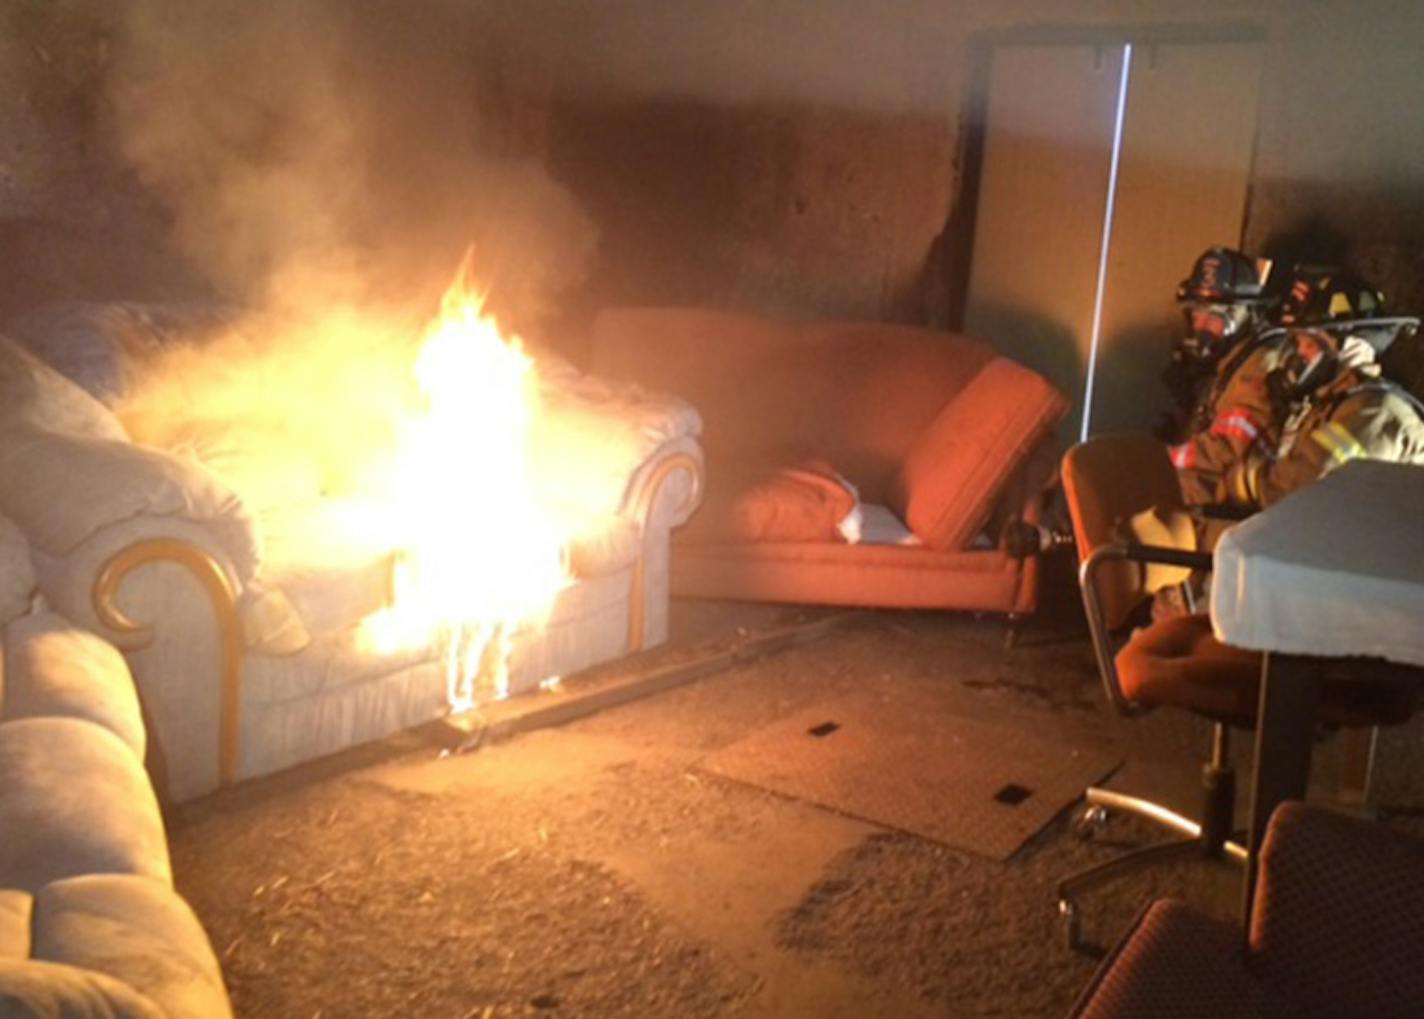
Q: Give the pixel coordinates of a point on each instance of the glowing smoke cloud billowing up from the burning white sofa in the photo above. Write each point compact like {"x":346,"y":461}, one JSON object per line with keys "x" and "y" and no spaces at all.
{"x":327,"y":164}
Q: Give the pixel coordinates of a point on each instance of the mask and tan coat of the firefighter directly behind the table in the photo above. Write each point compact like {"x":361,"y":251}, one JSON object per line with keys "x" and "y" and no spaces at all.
{"x":1346,"y":412}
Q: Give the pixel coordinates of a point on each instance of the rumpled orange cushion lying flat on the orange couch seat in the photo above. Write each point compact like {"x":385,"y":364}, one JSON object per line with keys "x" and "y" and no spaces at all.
{"x":753,"y":503}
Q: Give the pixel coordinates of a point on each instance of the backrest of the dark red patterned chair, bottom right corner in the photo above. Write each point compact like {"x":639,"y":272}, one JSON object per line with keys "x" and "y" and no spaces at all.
{"x":1339,"y":914}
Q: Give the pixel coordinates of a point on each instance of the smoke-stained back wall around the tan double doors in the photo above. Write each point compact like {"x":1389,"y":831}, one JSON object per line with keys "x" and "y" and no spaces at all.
{"x":791,"y":156}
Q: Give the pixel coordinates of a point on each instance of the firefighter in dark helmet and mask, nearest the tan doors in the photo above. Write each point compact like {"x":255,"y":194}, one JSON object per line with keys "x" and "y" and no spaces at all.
{"x":1223,"y":301}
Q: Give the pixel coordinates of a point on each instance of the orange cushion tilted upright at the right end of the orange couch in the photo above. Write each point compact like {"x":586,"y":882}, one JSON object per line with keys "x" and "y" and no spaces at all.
{"x":952,"y":475}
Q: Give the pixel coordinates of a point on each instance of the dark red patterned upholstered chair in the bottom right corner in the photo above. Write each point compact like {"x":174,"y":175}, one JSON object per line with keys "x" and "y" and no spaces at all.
{"x":1338,"y":930}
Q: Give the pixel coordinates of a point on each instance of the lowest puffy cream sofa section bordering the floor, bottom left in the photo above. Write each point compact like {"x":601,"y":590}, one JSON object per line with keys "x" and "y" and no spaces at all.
{"x":137,"y":931}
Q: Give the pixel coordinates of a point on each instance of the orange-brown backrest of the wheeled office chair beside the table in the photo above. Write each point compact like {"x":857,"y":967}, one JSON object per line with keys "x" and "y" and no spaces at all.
{"x":1109,"y":480}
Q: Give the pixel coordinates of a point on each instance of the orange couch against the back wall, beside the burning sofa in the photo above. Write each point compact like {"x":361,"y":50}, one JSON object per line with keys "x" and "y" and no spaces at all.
{"x":933,"y":426}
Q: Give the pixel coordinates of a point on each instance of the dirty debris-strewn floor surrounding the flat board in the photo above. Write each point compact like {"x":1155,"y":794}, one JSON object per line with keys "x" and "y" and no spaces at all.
{"x":595,"y":870}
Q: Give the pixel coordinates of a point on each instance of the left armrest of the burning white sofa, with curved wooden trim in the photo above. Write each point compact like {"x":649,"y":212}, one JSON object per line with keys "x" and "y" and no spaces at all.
{"x":99,"y":510}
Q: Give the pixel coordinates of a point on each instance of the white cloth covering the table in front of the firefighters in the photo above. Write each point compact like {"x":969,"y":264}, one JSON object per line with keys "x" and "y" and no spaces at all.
{"x":1334,"y":570}
